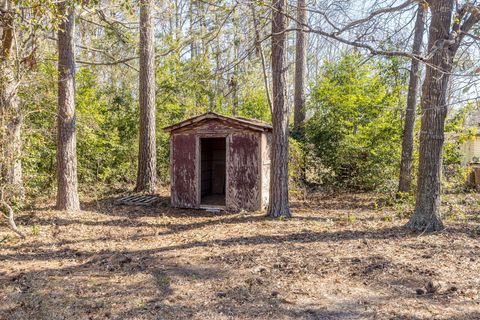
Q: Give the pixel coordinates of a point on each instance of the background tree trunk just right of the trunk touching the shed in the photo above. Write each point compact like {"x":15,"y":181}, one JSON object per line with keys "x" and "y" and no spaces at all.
{"x":300,"y":68}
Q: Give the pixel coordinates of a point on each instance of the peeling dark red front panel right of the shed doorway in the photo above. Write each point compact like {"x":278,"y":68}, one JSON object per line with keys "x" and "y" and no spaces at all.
{"x":243,"y":174}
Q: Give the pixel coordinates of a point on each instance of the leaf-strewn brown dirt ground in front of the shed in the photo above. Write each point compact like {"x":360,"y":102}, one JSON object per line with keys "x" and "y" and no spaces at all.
{"x":341,"y":257}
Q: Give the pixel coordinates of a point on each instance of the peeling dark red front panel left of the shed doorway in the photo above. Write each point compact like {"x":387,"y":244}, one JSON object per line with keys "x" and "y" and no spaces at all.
{"x":184,"y":180}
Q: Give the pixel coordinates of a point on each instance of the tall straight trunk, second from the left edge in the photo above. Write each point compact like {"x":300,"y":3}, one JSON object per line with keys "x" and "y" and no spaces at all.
{"x":67,"y":194}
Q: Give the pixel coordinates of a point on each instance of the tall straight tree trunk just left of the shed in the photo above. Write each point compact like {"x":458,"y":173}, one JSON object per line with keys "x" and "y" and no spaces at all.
{"x":147,"y":157}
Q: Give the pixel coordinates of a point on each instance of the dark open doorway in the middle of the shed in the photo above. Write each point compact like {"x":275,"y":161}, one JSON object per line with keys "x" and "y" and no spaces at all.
{"x":213,"y":171}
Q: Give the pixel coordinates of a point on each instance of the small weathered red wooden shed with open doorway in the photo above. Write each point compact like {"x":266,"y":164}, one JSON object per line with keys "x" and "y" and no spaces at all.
{"x":220,"y":162}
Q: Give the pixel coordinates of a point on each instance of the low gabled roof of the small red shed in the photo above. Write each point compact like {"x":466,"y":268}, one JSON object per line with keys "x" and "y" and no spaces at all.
{"x":255,"y":125}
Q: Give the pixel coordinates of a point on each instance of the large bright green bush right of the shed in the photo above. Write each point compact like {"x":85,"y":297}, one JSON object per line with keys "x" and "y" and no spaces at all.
{"x":355,"y":130}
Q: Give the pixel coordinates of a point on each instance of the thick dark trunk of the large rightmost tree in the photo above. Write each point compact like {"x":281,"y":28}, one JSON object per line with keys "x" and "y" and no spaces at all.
{"x":426,"y":216}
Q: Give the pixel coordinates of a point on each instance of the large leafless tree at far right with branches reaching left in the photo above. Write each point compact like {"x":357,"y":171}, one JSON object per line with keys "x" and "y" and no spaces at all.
{"x":446,"y":32}
